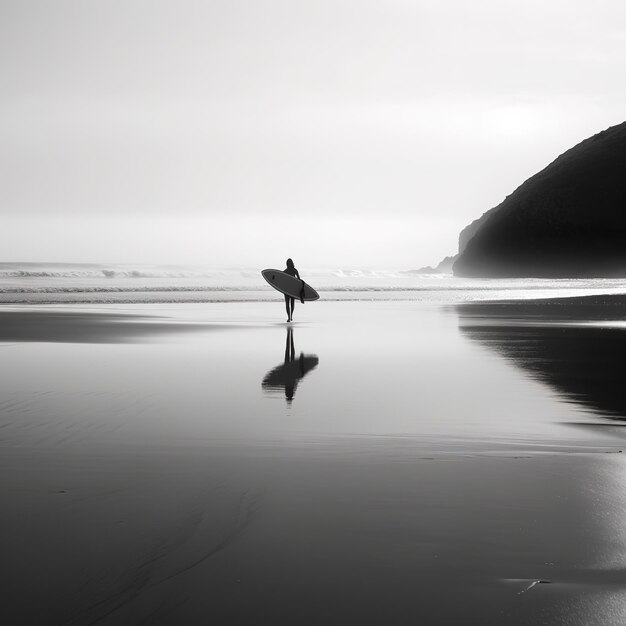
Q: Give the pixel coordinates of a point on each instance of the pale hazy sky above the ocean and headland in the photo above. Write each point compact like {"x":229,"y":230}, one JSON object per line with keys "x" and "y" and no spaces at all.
{"x":343,"y":132}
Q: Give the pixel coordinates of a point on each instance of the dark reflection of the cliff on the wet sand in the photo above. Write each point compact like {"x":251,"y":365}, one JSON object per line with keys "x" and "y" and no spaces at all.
{"x":570,"y":344}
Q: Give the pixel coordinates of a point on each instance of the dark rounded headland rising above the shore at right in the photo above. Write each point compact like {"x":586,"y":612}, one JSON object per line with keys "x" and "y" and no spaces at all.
{"x":568,"y":220}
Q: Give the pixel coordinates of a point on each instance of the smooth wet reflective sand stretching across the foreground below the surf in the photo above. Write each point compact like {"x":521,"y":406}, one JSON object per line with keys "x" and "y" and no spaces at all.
{"x":434,"y":465}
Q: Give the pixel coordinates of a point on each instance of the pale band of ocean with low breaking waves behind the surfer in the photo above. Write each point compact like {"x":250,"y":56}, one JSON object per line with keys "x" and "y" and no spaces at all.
{"x":66,"y":283}
